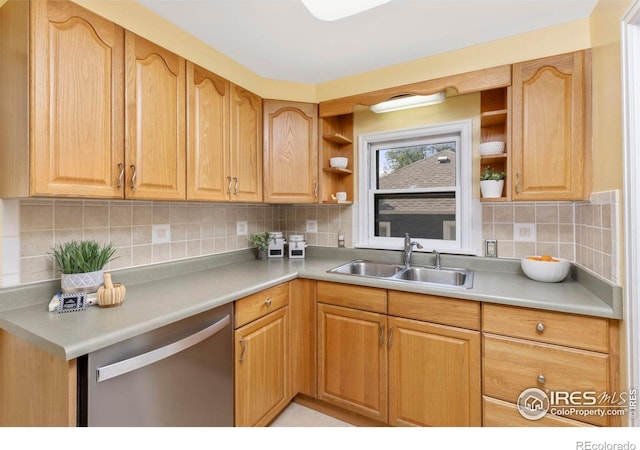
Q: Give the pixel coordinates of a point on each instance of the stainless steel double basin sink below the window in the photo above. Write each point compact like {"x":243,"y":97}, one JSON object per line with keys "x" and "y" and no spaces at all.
{"x":425,"y":275}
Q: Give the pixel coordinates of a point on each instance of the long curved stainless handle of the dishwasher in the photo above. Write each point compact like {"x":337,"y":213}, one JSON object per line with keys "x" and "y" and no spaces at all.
{"x":125,"y":366}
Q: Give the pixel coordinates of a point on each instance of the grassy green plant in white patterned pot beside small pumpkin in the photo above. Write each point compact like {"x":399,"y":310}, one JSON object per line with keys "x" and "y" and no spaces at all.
{"x":81,"y":264}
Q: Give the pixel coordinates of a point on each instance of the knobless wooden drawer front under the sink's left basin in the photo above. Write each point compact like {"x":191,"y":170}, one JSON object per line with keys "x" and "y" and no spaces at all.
{"x":350,"y":296}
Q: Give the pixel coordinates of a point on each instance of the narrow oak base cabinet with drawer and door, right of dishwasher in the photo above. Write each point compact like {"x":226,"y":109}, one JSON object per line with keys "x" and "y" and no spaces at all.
{"x":262,"y":368}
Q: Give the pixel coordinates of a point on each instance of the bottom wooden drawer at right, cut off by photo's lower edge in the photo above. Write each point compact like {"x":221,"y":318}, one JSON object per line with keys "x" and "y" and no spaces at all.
{"x":497,"y":413}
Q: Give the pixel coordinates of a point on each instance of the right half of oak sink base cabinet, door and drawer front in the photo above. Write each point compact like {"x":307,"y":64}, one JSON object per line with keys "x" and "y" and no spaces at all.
{"x":434,"y":361}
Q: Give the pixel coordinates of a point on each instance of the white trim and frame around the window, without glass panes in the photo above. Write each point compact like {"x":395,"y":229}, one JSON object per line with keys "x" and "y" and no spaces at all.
{"x":468,"y":237}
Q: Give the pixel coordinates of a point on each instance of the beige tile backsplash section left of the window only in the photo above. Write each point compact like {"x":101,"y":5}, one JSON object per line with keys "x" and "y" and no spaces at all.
{"x":196,"y":229}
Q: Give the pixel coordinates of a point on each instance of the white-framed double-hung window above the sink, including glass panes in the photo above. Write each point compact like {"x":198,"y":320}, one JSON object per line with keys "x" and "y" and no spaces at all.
{"x":418,"y":181}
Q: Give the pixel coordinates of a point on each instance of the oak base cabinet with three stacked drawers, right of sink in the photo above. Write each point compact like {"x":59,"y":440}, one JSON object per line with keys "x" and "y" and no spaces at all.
{"x":555,"y":352}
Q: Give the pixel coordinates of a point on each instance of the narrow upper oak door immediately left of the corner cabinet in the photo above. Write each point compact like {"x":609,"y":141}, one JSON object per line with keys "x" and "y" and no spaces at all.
{"x":246,"y":146}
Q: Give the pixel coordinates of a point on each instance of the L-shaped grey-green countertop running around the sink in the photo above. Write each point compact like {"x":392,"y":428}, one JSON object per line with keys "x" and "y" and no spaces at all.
{"x":157,"y":296}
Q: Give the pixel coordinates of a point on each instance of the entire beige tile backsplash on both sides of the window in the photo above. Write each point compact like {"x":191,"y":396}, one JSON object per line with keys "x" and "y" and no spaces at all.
{"x":585,"y":232}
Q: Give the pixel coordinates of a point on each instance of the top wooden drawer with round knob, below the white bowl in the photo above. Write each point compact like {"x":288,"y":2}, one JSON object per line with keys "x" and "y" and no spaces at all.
{"x":588,"y":333}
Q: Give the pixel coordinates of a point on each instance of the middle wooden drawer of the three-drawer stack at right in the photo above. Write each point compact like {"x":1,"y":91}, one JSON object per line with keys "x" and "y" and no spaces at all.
{"x":512,"y":365}
